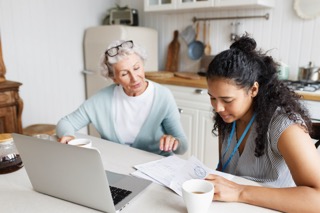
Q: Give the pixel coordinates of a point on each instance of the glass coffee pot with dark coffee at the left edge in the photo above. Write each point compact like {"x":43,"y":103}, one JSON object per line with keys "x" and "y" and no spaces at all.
{"x":10,"y":160}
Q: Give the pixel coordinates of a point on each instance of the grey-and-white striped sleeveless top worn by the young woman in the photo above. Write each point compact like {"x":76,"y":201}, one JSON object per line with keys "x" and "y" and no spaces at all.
{"x":269,"y":169}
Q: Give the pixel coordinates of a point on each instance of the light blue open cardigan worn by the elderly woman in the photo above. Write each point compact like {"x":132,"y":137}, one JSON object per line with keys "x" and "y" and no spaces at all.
{"x":164,"y":118}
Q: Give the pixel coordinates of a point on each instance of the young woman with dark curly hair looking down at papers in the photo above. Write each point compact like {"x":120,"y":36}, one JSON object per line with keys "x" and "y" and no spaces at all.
{"x":263,"y":133}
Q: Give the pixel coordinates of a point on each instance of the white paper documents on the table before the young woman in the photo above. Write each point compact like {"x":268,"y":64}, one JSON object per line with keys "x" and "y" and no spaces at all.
{"x":172,"y":171}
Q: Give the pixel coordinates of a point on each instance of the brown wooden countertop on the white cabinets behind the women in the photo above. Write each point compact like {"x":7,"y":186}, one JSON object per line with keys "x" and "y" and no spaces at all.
{"x":201,"y":83}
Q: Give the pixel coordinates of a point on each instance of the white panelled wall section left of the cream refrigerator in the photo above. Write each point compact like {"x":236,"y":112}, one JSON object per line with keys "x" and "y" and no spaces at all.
{"x":42,"y":49}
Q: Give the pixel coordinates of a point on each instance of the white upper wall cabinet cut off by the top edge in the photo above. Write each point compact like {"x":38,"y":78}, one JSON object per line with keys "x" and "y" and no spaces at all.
{"x":176,"y":5}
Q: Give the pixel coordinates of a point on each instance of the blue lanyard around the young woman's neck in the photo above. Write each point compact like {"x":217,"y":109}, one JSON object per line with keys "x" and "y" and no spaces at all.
{"x":239,"y":141}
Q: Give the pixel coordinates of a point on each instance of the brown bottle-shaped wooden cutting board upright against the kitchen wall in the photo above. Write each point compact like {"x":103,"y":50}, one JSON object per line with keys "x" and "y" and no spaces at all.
{"x":173,"y":53}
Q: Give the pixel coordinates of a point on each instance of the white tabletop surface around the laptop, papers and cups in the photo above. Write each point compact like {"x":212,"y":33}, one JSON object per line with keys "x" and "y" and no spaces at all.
{"x":17,"y":194}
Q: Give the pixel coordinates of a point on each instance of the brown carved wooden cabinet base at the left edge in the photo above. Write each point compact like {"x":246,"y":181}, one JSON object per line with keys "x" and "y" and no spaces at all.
{"x":11,"y":106}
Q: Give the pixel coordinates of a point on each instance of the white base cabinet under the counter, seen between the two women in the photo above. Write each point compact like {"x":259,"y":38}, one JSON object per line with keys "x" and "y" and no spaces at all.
{"x":196,"y":118}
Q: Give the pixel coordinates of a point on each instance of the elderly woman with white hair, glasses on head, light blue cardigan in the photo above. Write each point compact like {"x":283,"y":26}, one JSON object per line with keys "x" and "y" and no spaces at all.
{"x":133,"y":111}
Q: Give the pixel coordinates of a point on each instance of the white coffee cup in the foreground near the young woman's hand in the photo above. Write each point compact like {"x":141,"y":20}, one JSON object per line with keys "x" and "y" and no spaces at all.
{"x":197,"y":195}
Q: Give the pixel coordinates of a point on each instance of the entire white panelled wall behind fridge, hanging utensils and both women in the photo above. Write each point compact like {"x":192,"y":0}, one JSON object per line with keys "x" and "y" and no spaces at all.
{"x":42,"y":45}
